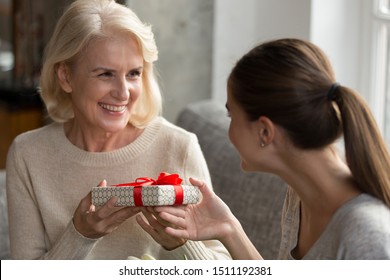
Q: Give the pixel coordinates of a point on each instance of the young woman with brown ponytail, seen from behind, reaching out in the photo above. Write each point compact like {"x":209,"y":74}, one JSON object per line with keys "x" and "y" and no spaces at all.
{"x":286,"y":113}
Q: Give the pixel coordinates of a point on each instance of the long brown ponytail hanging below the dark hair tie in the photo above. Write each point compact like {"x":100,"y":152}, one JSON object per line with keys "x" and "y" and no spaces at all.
{"x":365,"y":149}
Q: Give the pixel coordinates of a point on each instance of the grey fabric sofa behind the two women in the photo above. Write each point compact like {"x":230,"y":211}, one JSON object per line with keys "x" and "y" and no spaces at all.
{"x":255,"y":199}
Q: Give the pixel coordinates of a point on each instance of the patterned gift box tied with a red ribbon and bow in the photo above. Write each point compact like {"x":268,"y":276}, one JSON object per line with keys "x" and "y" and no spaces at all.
{"x":166,"y":190}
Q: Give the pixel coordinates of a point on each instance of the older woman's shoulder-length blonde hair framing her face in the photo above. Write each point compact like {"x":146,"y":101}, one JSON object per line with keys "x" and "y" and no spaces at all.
{"x":83,"y":21}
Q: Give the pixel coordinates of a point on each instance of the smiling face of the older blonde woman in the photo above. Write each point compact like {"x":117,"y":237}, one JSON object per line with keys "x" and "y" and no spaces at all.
{"x":105,"y":83}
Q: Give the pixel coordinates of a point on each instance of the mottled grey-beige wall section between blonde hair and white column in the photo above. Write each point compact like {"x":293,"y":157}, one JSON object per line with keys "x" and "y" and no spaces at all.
{"x":183,"y":31}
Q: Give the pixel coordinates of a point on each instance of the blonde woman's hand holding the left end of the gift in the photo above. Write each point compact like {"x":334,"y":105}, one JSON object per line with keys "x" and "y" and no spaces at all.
{"x":95,"y":223}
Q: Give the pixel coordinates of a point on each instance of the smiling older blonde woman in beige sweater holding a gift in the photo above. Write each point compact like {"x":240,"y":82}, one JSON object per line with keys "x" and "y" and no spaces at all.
{"x":99,"y":88}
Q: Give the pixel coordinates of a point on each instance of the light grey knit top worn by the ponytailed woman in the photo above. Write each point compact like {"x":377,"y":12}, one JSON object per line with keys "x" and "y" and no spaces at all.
{"x":360,"y":229}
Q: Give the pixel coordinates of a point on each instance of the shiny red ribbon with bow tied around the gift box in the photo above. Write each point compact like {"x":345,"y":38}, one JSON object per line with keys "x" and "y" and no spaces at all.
{"x":163,"y":179}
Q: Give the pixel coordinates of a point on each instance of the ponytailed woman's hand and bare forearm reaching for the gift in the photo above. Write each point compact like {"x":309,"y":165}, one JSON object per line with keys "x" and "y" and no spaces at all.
{"x":209,"y":219}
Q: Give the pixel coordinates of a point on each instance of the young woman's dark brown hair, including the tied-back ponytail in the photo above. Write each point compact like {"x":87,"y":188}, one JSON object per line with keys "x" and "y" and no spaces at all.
{"x":288,"y":81}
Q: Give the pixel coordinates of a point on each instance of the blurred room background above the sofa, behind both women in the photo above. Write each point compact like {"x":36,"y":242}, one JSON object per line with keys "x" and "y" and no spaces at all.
{"x":199,"y":42}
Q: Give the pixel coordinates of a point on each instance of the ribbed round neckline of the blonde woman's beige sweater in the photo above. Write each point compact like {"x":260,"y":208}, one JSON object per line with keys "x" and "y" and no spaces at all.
{"x":118,"y":156}
